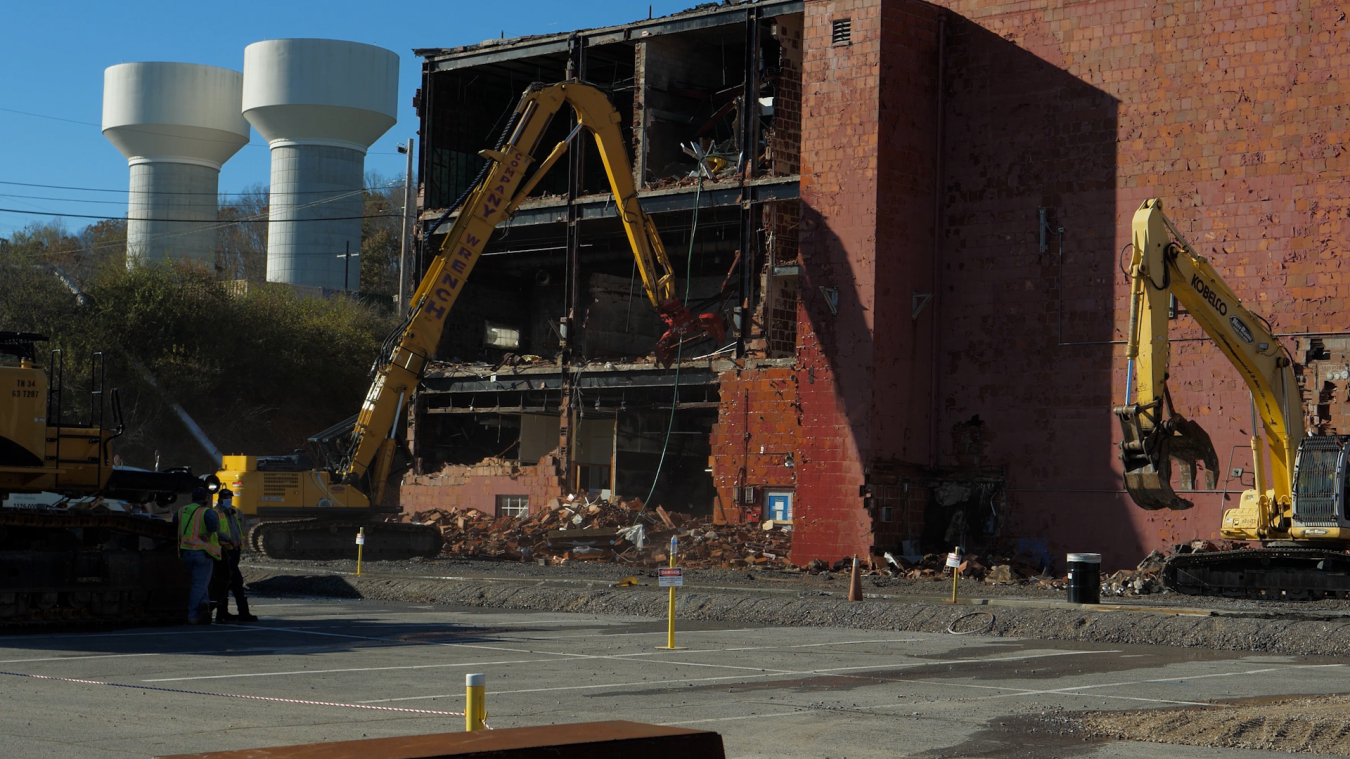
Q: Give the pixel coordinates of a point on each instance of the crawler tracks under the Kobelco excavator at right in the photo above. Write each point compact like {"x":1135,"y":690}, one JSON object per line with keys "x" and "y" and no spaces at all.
{"x":1276,"y":575}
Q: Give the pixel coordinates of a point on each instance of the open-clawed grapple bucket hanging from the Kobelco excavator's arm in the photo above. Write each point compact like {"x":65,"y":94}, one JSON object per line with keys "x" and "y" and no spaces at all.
{"x":1151,"y":446}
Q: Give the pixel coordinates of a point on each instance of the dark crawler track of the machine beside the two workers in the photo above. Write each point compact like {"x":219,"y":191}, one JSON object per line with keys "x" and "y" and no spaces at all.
{"x":63,"y":569}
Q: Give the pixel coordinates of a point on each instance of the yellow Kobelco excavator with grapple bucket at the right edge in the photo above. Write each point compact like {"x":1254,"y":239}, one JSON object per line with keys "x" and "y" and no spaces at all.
{"x":1298,"y":513}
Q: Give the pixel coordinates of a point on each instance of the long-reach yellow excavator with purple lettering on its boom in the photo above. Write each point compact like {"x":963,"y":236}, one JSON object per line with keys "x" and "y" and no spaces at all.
{"x":311,"y":508}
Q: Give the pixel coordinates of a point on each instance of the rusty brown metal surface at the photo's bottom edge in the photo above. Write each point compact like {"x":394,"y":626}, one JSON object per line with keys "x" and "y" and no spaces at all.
{"x":581,"y":741}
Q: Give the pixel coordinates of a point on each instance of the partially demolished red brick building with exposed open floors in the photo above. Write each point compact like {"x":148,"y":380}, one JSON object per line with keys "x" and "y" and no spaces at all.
{"x":915,"y":236}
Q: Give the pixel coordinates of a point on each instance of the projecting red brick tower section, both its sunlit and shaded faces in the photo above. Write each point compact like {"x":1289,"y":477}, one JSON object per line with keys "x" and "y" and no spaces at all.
{"x":867,"y":232}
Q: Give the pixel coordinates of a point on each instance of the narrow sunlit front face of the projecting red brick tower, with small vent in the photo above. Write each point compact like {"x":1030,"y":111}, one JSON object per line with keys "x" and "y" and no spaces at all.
{"x":838,"y":248}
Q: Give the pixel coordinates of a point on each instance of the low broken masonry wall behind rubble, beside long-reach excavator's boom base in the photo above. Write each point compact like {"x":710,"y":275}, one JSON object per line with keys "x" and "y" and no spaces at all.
{"x":477,"y":487}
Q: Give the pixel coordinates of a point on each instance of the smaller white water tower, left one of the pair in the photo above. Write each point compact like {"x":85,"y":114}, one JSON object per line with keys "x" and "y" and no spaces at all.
{"x":178,"y":125}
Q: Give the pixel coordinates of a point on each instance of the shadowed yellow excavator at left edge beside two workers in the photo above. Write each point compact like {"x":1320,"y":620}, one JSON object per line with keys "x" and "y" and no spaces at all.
{"x":83,"y":558}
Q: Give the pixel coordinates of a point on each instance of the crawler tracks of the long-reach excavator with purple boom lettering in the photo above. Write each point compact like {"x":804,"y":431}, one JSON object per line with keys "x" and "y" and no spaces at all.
{"x":329,"y":540}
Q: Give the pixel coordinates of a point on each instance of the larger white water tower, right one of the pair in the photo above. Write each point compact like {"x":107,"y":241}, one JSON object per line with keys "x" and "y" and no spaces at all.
{"x":319,"y":103}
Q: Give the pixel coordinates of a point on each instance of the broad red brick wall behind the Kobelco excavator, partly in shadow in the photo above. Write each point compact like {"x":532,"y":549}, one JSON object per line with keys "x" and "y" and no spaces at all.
{"x":1232,"y":113}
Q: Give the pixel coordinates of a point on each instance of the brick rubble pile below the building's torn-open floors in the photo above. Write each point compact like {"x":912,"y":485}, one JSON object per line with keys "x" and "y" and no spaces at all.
{"x":618,"y":533}
